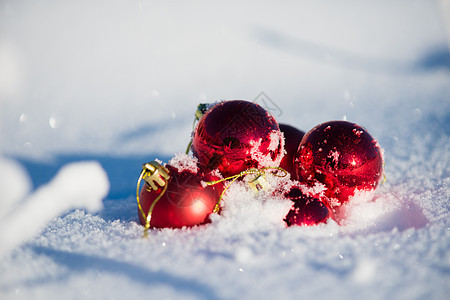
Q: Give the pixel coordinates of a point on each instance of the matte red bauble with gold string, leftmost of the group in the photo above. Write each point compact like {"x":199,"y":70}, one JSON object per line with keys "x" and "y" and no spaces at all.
{"x":186,"y":202}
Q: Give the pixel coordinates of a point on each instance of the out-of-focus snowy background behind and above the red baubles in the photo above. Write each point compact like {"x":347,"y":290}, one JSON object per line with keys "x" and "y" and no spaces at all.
{"x":119,"y":80}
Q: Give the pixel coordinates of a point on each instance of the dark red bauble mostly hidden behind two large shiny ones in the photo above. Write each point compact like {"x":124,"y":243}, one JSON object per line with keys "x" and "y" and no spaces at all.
{"x":292,"y":138}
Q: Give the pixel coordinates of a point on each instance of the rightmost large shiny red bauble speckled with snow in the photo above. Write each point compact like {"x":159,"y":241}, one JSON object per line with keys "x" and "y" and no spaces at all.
{"x":341,"y":155}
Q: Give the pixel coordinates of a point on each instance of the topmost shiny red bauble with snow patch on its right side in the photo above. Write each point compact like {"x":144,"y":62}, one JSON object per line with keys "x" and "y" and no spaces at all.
{"x":237,"y":135}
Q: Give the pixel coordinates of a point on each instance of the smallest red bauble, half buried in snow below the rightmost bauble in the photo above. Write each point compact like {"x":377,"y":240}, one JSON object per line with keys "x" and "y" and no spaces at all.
{"x":307,"y":210}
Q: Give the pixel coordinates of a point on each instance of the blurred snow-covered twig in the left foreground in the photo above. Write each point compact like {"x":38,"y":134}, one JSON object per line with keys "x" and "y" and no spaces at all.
{"x":77,"y":185}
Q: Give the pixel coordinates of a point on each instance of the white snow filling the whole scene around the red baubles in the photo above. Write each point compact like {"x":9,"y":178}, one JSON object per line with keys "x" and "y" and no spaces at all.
{"x":119,"y":82}
